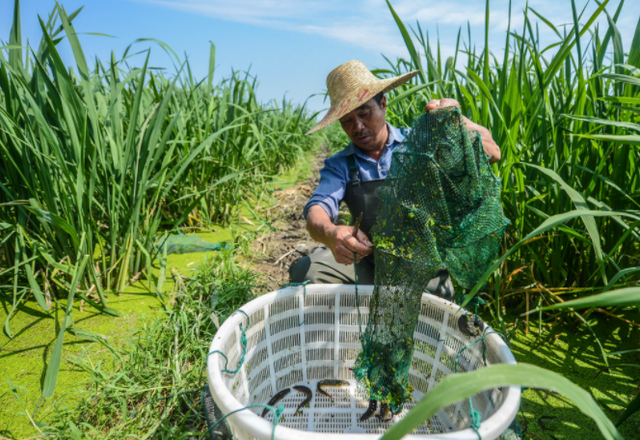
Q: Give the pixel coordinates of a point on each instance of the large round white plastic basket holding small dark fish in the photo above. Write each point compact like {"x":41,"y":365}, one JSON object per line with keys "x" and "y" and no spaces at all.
{"x":296,"y":339}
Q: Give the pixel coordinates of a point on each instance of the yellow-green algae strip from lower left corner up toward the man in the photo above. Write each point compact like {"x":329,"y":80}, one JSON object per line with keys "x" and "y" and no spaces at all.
{"x":23,"y":359}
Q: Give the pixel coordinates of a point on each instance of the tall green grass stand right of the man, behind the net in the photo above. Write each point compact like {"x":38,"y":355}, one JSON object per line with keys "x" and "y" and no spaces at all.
{"x":565,"y":117}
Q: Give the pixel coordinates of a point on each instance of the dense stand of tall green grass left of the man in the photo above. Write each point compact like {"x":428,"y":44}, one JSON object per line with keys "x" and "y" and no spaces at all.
{"x":98,"y":160}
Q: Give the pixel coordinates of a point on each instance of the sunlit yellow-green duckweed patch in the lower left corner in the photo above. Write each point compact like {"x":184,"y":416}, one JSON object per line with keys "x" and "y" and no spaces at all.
{"x":24,"y":358}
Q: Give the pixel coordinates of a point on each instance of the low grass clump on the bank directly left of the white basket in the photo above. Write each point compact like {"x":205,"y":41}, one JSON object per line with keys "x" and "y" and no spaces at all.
{"x":155,"y":383}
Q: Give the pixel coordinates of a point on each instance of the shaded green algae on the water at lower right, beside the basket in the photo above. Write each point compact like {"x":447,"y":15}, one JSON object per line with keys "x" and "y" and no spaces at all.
{"x":575,"y":354}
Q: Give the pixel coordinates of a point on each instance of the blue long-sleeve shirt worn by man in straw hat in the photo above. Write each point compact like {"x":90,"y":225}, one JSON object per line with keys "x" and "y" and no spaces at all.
{"x":334,"y":176}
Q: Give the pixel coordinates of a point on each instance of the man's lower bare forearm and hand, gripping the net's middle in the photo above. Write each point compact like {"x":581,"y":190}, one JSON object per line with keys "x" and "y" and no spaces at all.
{"x":339,"y":239}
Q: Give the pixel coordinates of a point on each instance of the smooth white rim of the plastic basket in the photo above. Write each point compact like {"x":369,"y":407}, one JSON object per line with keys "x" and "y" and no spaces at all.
{"x":260,"y":428}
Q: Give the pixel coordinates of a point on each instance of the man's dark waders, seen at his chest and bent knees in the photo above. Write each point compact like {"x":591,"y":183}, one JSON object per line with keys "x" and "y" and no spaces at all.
{"x":322,"y":268}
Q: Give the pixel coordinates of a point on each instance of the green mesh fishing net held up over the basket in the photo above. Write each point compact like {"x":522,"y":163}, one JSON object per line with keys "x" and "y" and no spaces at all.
{"x":439,"y":208}
